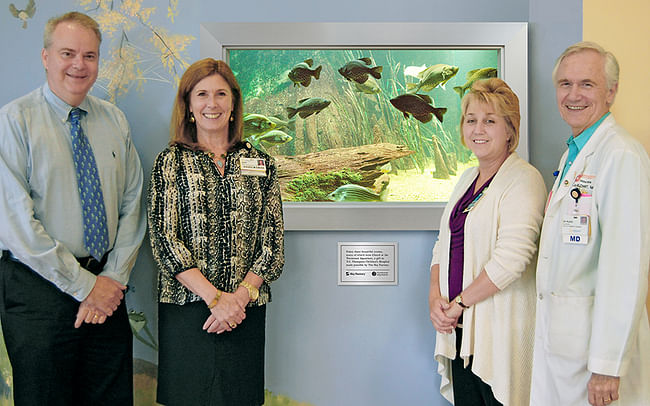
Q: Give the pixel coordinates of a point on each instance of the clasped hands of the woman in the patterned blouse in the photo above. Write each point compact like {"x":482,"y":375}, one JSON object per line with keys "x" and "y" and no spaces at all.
{"x":228,"y":313}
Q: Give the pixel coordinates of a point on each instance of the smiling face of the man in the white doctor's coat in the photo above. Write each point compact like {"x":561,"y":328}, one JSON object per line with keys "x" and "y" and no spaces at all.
{"x":581,"y":90}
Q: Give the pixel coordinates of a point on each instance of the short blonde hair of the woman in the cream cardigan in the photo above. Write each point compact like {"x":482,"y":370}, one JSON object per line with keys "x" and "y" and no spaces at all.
{"x":496,"y":93}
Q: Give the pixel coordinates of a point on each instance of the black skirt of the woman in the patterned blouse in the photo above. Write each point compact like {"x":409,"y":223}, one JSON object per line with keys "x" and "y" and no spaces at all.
{"x":196,"y":368}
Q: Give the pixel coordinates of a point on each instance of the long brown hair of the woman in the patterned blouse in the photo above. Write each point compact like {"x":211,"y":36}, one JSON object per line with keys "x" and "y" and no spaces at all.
{"x":181,"y":129}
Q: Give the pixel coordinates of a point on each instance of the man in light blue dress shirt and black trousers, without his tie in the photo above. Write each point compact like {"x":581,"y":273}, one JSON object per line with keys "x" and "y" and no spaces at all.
{"x":63,"y":313}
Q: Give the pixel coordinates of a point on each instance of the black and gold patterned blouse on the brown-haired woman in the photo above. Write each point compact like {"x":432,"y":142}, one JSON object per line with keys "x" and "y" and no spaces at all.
{"x":224,"y":225}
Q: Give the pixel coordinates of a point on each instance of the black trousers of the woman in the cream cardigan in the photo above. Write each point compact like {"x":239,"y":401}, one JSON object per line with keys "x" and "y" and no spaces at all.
{"x":469,"y":389}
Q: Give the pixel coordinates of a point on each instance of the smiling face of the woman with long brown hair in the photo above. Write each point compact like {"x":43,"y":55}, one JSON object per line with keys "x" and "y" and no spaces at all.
{"x":211,"y":102}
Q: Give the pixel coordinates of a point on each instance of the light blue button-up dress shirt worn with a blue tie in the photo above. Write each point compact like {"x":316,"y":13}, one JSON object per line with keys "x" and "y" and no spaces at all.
{"x":40,"y":207}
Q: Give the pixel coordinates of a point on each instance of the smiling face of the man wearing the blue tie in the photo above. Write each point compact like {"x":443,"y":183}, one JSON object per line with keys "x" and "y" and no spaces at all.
{"x":71,"y":61}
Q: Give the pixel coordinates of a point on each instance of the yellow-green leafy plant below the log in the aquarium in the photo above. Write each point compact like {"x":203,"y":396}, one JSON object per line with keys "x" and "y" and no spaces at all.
{"x":311,"y":187}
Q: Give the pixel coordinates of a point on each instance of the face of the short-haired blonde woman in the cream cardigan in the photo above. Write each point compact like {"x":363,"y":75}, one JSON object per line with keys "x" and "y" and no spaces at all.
{"x":485,"y":133}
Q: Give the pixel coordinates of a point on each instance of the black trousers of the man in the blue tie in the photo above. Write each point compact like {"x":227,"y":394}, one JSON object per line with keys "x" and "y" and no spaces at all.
{"x":54,"y":364}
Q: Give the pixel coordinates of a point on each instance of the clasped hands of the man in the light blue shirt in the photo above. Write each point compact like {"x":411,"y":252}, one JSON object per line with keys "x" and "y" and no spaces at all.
{"x":102,"y":301}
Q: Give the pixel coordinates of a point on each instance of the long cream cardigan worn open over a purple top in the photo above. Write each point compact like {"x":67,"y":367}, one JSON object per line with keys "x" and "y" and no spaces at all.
{"x":501,"y":235}
